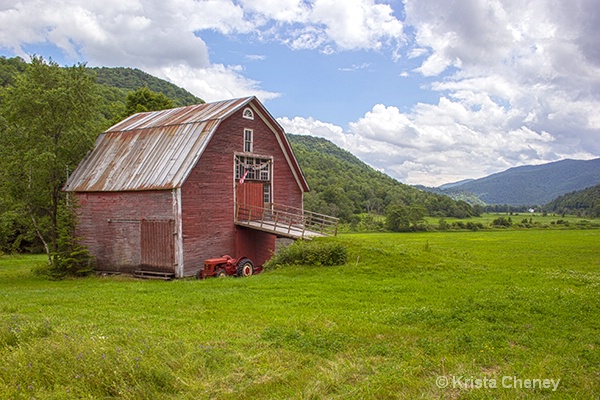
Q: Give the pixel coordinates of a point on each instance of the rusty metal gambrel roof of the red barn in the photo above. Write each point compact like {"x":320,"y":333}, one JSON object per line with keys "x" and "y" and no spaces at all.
{"x":158,"y":150}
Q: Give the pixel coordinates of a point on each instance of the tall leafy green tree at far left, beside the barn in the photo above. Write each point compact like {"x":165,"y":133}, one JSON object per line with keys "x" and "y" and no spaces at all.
{"x":50,"y":121}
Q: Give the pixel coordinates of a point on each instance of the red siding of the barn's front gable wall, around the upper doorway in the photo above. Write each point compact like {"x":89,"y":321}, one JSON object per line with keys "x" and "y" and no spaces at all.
{"x":208,"y":196}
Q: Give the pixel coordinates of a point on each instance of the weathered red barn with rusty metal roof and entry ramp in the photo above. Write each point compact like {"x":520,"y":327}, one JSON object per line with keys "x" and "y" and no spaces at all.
{"x":163,"y":191}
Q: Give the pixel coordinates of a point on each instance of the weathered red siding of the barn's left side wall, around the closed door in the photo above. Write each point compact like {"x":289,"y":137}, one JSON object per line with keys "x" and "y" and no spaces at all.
{"x":110,"y":225}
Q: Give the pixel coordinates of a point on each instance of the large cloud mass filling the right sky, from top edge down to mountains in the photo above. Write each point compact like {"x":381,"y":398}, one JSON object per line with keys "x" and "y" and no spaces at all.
{"x":518,"y":84}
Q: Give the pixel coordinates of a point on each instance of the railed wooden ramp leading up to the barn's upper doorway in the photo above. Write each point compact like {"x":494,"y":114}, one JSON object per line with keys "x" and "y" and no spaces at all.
{"x":285,"y":221}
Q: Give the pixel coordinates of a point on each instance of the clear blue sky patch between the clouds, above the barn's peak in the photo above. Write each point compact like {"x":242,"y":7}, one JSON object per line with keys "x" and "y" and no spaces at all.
{"x":337,"y":88}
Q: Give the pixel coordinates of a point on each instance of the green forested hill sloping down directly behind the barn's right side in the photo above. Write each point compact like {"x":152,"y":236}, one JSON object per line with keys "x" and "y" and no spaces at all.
{"x":342,"y":185}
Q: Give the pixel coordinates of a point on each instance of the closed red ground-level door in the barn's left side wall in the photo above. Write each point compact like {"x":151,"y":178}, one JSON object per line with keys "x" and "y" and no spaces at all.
{"x":158,"y":245}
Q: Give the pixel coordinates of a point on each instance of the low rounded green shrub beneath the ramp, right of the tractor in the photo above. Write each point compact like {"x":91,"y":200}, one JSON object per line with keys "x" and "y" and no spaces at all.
{"x":320,"y":253}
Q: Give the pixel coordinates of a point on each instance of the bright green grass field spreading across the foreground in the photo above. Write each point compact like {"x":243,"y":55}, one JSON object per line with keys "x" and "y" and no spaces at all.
{"x":469,"y":315}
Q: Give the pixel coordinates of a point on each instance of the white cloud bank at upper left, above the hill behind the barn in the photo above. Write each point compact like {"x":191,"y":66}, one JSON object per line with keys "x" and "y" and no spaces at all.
{"x":155,"y":36}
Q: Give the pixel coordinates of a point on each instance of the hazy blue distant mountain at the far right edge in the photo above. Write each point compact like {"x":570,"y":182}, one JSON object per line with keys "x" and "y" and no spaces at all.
{"x":531,"y":184}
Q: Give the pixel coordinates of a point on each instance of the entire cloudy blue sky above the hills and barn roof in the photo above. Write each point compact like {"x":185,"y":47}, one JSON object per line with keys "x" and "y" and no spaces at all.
{"x":428,"y":91}
